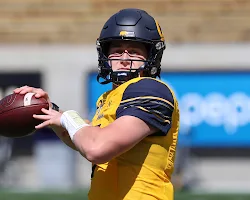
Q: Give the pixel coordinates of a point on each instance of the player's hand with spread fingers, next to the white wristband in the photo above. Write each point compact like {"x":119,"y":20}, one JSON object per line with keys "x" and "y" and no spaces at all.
{"x":51,"y":119}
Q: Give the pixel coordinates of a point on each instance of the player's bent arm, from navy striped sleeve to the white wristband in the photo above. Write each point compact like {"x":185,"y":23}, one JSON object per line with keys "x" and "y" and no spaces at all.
{"x":146,"y":109}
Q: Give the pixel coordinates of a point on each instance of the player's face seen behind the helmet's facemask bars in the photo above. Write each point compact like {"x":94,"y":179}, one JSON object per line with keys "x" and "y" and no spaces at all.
{"x":125,"y":51}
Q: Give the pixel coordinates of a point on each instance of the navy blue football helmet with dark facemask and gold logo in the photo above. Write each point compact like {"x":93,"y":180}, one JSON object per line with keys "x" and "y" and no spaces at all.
{"x":133,"y":25}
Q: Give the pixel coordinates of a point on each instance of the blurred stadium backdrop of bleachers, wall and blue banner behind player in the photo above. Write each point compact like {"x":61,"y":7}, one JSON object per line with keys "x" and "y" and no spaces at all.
{"x":51,"y":44}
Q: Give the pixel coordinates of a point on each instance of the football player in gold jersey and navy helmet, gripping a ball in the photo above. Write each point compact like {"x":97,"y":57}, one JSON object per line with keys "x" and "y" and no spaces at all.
{"x":132,"y":138}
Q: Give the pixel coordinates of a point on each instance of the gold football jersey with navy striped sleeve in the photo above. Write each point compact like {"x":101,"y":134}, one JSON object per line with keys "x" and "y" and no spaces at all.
{"x":143,"y":172}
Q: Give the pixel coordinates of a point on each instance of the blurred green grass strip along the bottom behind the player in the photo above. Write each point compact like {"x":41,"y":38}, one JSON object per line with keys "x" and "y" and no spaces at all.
{"x":81,"y":195}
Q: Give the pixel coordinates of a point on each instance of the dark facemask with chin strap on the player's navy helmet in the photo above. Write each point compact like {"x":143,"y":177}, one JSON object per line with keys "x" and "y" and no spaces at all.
{"x":149,"y":68}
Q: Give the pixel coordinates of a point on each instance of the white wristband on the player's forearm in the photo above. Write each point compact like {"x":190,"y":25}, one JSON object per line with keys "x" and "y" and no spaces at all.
{"x":72,"y":122}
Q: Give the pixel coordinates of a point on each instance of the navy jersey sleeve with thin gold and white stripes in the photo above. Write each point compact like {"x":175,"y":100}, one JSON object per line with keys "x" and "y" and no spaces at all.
{"x":149,"y":100}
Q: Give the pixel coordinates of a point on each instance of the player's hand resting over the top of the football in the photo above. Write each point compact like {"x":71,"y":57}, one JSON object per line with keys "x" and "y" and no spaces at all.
{"x":38,"y":92}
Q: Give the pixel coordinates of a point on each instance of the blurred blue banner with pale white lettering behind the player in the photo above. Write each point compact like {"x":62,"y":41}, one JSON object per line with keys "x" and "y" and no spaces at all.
{"x":214,"y":106}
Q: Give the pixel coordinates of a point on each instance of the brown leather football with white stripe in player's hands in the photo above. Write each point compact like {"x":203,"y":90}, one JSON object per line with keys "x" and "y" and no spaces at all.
{"x":16,"y":114}
